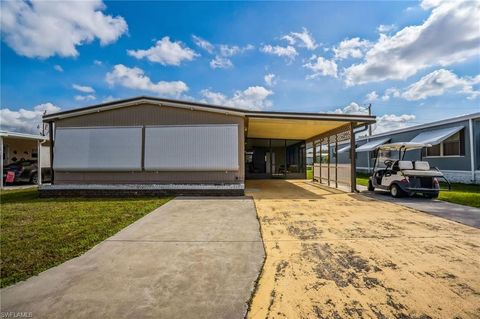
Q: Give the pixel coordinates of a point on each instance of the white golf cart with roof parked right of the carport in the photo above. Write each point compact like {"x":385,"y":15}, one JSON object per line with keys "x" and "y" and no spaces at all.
{"x":404,"y":177}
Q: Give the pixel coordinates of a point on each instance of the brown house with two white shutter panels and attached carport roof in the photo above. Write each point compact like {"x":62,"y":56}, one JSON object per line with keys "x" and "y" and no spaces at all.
{"x":157,"y":145}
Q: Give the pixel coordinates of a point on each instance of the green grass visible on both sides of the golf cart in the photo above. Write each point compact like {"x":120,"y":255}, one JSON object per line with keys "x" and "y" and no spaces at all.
{"x":463,"y":194}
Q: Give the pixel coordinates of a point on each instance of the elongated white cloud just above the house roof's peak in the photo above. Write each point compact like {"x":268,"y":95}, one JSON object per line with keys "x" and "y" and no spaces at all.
{"x":135,"y":78}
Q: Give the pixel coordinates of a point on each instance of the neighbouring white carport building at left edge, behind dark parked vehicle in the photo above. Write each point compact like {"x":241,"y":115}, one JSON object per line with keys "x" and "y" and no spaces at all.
{"x":16,"y":147}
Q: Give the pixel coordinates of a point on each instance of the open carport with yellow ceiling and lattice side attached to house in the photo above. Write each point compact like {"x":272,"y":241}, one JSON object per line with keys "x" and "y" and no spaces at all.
{"x":283,"y":145}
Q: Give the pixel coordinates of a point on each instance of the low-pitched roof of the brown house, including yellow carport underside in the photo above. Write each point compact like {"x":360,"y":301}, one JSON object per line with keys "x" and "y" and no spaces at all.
{"x":260,"y":124}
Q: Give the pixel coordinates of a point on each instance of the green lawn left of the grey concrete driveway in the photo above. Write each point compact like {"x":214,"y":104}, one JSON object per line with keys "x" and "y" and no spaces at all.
{"x":38,"y":233}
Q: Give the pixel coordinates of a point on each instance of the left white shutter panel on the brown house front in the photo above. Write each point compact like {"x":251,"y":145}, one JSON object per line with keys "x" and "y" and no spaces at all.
{"x":98,"y":149}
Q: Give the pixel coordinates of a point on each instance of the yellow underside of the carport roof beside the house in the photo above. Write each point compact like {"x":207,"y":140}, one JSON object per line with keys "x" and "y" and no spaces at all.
{"x":295,"y":129}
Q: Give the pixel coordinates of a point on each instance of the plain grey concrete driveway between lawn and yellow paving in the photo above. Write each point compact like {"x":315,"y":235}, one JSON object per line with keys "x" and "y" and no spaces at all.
{"x":191,"y":258}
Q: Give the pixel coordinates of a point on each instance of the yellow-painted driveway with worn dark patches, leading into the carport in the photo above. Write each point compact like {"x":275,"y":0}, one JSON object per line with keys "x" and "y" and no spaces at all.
{"x":332,"y":254}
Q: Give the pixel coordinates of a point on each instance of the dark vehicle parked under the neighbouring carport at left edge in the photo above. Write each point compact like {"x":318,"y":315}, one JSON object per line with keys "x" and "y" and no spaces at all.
{"x":26,"y":171}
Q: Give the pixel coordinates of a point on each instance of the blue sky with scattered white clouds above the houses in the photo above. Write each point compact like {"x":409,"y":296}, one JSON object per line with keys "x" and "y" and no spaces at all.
{"x":414,"y":62}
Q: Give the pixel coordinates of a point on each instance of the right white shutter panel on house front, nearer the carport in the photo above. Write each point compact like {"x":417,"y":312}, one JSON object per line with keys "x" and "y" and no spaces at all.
{"x":192,"y":148}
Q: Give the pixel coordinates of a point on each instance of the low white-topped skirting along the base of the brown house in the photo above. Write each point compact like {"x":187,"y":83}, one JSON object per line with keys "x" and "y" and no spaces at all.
{"x":130,"y":190}
